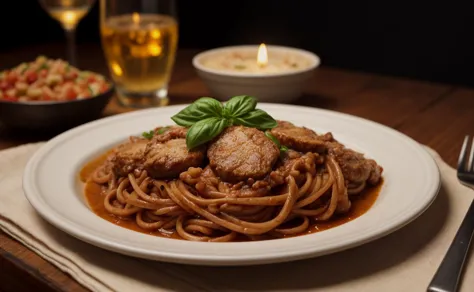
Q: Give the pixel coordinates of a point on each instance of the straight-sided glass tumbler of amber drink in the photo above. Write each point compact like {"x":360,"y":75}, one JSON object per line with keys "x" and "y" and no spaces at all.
{"x":139,"y":39}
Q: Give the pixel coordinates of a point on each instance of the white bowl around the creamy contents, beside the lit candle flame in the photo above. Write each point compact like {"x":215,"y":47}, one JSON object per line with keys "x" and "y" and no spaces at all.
{"x":279,"y":87}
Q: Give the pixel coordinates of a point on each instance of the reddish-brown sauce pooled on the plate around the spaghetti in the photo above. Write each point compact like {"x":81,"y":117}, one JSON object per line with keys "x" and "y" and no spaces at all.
{"x":95,"y":199}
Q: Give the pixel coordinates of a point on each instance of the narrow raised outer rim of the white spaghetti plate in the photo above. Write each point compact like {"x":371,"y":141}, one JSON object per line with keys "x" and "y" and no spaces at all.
{"x":55,"y":219}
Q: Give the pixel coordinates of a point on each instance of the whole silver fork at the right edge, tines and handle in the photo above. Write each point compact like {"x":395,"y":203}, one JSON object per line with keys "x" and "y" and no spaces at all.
{"x":448,"y":274}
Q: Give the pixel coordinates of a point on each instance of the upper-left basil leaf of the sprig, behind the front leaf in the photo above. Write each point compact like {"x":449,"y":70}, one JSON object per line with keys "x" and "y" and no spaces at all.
{"x":201,"y":109}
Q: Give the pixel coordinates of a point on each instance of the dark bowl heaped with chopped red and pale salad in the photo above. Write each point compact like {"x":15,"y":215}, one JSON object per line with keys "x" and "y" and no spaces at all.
{"x":50,"y":94}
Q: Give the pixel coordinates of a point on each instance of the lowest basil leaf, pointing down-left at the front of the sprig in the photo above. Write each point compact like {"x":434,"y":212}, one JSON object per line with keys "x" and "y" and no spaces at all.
{"x":204,"y":131}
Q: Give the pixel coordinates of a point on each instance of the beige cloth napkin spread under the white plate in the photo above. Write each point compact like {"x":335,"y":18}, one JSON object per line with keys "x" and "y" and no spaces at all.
{"x":402,"y":261}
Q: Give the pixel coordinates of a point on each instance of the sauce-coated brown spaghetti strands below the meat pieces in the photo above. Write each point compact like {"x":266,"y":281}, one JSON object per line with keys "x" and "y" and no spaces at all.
{"x":301,"y":189}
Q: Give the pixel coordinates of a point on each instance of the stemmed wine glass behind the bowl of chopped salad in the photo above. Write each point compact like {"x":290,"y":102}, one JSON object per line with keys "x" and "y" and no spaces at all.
{"x":68,"y":13}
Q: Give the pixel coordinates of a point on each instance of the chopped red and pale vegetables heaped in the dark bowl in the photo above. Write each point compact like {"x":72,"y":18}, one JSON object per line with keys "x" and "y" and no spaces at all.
{"x":49,"y":80}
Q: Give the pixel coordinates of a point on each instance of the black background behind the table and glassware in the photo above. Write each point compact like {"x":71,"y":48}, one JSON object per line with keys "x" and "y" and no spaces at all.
{"x":417,"y":39}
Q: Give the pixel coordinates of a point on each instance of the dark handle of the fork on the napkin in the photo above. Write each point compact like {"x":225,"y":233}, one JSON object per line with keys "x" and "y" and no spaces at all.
{"x":447,"y":276}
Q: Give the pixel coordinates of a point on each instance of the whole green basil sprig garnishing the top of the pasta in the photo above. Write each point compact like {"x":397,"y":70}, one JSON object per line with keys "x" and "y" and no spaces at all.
{"x":207,"y":117}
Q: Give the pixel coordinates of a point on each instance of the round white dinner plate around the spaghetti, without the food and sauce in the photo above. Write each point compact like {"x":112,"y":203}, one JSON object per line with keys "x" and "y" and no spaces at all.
{"x":51,"y":184}
